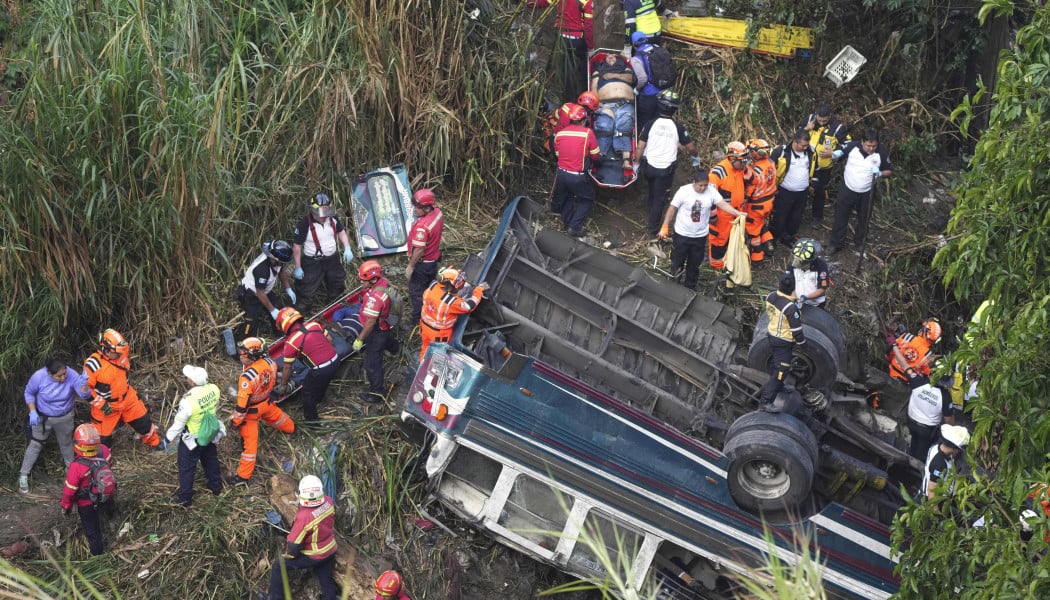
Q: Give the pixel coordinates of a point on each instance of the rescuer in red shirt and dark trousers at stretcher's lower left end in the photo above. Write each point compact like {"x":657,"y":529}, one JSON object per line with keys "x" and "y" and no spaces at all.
{"x":309,"y":343}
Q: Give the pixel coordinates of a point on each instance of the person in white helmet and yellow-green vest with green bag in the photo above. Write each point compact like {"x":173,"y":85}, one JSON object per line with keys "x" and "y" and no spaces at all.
{"x":202,"y":398}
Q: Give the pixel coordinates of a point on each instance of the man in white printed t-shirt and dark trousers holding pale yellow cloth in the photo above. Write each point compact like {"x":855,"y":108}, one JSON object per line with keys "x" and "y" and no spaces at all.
{"x":691,"y":211}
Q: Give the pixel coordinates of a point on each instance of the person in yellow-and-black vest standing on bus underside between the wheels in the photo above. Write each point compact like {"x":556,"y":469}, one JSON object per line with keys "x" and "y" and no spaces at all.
{"x":785,"y":333}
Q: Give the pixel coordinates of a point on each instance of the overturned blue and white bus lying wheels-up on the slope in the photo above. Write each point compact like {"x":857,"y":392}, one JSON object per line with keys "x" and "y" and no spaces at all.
{"x":598,"y":419}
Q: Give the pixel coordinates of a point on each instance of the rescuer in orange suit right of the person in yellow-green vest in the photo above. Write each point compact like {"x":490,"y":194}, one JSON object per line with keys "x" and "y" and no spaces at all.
{"x":257,"y":381}
